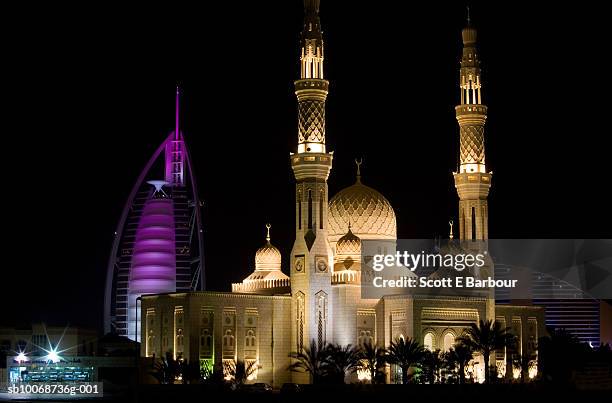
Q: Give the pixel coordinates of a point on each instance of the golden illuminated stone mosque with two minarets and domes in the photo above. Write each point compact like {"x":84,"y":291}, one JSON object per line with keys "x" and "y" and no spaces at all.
{"x":271,"y":314}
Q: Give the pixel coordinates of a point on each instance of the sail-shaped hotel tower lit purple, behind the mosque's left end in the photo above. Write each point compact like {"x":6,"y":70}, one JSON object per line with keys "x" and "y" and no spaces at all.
{"x":158,"y":244}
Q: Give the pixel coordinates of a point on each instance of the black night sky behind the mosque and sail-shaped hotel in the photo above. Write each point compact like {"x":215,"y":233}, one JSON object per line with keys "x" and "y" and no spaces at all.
{"x":88,"y":95}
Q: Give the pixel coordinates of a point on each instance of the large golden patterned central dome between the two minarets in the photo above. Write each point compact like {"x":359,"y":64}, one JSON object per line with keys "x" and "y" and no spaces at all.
{"x":369,"y":213}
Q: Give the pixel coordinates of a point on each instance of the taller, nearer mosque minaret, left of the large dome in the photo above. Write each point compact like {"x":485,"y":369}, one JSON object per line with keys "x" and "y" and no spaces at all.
{"x":311,"y":256}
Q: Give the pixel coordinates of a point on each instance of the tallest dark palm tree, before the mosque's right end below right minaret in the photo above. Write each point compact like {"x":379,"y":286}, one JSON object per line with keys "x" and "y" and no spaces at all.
{"x":485,"y":338}
